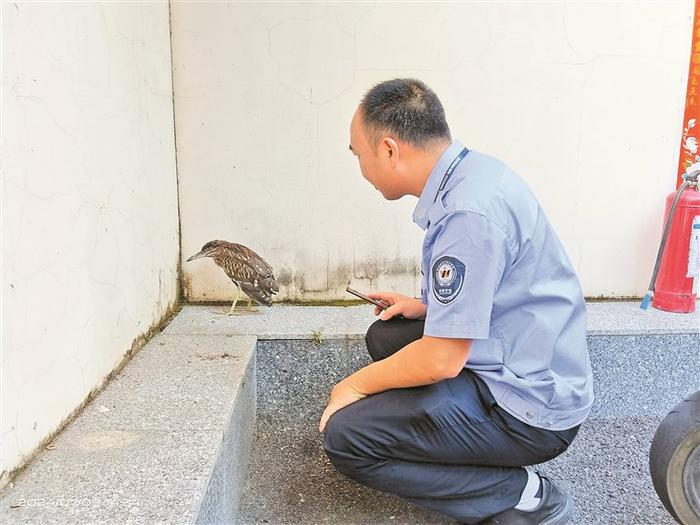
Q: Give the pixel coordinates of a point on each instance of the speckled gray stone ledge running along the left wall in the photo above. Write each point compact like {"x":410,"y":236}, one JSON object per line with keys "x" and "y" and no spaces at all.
{"x":167,"y":441}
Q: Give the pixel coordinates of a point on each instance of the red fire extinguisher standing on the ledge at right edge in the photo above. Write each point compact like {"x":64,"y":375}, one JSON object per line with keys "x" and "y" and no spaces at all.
{"x":674,"y":283}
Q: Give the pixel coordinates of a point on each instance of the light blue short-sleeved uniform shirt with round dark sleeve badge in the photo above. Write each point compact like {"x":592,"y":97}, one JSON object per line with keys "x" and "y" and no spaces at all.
{"x":495,"y":272}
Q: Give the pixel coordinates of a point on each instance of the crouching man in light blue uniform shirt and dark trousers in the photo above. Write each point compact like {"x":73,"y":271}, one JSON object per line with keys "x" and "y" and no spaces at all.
{"x":488,"y":371}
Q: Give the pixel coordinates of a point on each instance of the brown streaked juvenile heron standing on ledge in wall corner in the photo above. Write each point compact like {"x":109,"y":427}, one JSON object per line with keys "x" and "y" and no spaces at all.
{"x":248,"y":271}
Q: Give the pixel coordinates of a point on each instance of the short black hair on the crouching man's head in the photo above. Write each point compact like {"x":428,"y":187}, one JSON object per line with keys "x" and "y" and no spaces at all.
{"x":407,"y":109}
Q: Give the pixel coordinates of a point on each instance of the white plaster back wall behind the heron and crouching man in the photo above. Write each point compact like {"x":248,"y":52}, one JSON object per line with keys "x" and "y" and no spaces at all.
{"x":583,"y":99}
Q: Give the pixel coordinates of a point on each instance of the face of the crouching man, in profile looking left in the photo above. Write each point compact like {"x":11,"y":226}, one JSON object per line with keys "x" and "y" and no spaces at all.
{"x":375,"y":162}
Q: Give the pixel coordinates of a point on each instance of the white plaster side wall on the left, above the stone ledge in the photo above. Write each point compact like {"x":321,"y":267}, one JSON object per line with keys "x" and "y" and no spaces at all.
{"x":89,"y":202}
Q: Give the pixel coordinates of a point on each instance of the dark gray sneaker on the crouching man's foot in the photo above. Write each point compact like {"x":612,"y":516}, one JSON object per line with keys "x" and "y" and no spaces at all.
{"x":554,"y":508}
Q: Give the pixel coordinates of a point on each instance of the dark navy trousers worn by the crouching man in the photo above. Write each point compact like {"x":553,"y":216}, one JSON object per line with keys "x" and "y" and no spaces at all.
{"x":448,"y":446}
